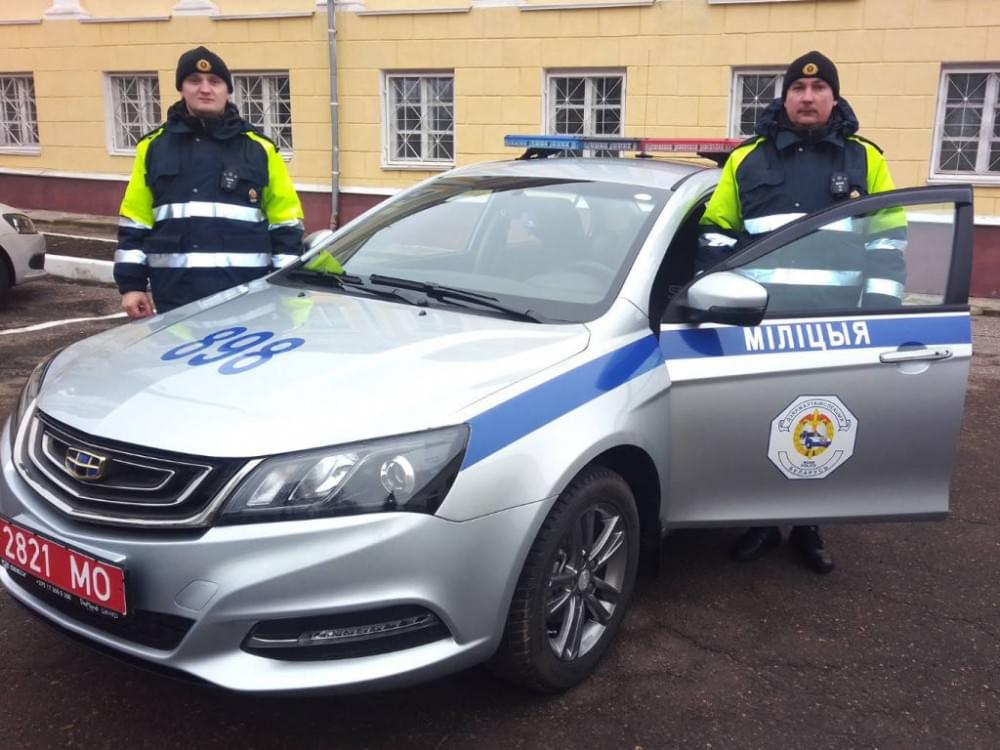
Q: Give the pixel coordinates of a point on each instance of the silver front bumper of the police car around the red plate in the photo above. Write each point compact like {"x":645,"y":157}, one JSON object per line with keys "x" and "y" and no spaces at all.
{"x":228,"y":579}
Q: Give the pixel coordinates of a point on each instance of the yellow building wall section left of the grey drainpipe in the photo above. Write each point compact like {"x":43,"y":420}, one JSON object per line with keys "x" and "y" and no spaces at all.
{"x":69,"y":59}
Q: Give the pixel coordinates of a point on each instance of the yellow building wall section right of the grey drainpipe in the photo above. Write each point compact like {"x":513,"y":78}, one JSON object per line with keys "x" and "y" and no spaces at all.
{"x":678,"y":57}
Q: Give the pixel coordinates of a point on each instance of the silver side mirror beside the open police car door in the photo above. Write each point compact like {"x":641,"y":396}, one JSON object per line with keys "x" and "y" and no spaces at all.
{"x":725,"y":297}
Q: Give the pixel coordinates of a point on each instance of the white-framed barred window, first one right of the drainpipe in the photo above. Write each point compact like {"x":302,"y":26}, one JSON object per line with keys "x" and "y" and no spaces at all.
{"x":420,"y":119}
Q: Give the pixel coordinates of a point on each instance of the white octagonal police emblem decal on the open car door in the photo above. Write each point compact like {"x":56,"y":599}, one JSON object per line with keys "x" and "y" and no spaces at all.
{"x":811,"y":437}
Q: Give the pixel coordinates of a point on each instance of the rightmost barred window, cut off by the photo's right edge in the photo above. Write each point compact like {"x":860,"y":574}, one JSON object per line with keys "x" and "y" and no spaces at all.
{"x":967,"y":133}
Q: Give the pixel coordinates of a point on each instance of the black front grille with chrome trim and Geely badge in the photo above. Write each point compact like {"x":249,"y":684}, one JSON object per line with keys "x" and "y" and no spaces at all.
{"x":104,"y":481}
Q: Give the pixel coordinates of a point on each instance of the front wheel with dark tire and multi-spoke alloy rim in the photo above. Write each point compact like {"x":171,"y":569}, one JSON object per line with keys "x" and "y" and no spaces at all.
{"x":595,"y":517}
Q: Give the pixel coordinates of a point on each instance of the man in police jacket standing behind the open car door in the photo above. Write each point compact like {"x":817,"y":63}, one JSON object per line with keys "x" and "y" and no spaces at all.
{"x":806,"y":156}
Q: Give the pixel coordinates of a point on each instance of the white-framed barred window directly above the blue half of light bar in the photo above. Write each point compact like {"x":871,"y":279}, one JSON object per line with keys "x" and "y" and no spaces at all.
{"x":585,"y":104}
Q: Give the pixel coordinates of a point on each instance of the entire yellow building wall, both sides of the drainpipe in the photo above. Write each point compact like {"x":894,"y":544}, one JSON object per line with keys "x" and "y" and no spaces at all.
{"x":678,"y":57}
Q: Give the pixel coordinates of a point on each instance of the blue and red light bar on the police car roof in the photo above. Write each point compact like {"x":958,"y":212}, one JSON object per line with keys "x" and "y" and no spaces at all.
{"x":716,"y":149}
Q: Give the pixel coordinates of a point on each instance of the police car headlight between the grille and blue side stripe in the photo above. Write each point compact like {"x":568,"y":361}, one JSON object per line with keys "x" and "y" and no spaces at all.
{"x":409,"y":473}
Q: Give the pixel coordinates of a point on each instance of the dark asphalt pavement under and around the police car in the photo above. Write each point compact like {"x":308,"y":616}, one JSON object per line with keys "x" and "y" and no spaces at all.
{"x":898,"y":648}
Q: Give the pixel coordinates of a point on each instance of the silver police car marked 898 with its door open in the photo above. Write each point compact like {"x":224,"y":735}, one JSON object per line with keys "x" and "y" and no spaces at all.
{"x":448,"y":435}
